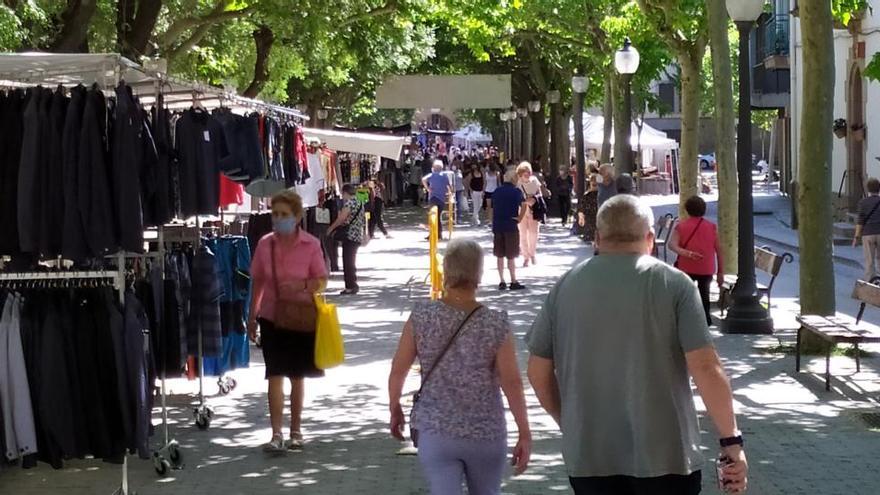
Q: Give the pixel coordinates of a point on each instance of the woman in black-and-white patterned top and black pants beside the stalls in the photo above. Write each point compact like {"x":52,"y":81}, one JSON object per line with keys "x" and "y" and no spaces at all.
{"x":348,"y":230}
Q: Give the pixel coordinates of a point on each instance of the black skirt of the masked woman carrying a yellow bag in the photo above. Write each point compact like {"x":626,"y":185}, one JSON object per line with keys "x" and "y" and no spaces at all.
{"x":286,"y":353}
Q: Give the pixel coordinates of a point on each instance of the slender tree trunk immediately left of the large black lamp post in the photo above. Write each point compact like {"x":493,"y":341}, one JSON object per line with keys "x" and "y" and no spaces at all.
{"x":725,"y":134}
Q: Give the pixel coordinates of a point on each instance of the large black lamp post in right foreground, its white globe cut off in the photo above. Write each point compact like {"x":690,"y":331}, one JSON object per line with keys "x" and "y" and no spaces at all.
{"x":746,"y":315}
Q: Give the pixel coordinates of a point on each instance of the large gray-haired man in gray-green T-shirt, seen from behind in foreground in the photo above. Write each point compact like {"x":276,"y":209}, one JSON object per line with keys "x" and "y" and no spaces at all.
{"x":612,"y":352}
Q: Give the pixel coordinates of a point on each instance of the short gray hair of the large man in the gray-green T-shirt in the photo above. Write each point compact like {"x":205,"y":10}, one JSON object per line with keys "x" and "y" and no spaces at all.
{"x":624,"y":219}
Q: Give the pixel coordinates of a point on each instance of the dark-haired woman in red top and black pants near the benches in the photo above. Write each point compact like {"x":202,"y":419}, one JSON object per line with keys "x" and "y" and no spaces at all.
{"x":695,"y":240}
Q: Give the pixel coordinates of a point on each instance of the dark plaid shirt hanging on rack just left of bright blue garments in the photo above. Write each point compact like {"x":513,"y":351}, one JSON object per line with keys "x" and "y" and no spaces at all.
{"x":205,"y":309}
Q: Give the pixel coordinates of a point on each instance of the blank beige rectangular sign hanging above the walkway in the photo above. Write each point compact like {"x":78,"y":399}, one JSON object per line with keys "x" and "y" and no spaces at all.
{"x":447,"y":92}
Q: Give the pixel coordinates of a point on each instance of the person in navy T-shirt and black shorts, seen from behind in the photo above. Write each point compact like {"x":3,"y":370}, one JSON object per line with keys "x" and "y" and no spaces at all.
{"x":510,"y":210}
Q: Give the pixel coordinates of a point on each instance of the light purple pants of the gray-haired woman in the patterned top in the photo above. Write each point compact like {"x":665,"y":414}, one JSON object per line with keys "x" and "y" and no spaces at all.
{"x":447,"y":462}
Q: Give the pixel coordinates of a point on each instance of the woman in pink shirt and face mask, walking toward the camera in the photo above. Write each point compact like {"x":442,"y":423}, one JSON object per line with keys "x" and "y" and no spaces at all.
{"x":296,"y":260}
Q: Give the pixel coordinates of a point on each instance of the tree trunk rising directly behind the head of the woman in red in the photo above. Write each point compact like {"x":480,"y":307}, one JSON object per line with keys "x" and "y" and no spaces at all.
{"x":688,"y":166}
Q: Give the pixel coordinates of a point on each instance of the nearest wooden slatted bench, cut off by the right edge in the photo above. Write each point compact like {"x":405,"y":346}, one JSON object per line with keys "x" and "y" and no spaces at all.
{"x":840,"y":329}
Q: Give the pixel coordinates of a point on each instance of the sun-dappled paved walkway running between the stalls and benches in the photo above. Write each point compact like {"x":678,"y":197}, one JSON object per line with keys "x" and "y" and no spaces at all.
{"x":800,"y":438}
